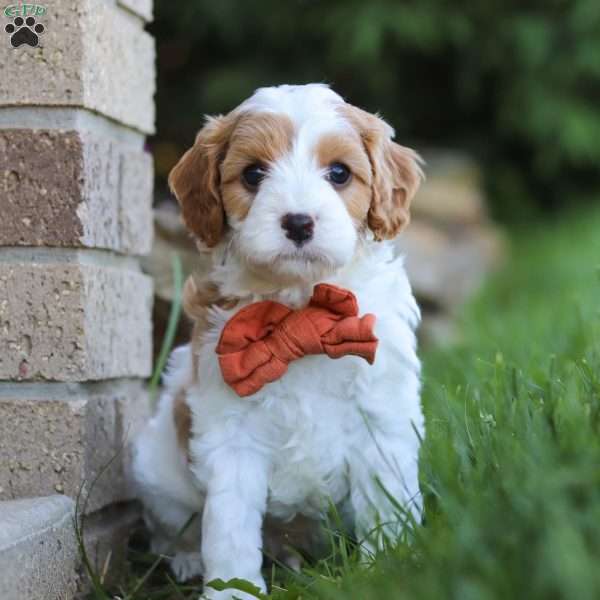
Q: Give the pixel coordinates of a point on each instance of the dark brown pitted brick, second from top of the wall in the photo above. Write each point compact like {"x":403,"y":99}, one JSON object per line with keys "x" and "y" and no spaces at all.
{"x":74,"y":188}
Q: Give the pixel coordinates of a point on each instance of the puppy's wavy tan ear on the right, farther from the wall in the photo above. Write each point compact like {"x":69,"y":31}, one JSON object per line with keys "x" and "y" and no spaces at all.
{"x":396,"y":175}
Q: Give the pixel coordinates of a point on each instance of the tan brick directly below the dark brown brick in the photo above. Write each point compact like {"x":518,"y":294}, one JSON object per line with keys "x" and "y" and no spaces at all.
{"x":73,"y":322}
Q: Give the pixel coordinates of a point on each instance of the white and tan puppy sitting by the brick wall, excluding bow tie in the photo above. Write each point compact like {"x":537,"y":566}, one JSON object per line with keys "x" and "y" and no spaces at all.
{"x":294,"y":187}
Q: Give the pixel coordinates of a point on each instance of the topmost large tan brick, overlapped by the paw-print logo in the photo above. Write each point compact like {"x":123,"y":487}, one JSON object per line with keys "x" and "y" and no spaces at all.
{"x":92,"y":54}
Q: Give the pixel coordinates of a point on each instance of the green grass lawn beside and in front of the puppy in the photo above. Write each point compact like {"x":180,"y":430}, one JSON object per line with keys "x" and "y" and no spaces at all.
{"x":511,"y":464}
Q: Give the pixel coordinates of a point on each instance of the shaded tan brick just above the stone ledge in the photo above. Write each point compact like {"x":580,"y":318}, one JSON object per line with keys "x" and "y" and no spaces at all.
{"x":56,"y":439}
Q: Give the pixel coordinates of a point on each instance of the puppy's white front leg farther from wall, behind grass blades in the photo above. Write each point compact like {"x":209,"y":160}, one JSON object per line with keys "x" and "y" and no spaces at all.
{"x":385,"y":494}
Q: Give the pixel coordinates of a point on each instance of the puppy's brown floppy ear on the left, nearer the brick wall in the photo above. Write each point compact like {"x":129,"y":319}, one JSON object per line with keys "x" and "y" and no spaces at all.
{"x":195,"y":180}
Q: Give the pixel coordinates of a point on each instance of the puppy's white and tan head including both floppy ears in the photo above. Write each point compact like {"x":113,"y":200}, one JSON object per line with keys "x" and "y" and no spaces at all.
{"x":295,"y":179}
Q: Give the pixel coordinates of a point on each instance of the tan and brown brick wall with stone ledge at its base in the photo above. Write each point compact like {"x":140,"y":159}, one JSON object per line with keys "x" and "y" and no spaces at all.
{"x":75,"y":331}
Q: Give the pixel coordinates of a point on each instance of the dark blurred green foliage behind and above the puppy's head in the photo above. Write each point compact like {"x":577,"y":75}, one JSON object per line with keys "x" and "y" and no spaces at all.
{"x":514,"y":82}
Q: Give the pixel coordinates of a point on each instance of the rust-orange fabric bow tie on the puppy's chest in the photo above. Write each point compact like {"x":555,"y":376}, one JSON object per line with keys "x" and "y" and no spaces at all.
{"x":259,"y":342}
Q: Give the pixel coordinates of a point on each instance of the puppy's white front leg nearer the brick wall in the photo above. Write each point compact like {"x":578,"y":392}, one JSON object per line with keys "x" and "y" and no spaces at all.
{"x":236,"y":497}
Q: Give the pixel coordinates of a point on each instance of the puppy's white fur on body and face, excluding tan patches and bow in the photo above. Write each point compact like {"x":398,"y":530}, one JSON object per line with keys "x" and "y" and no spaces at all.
{"x":338,"y":431}
